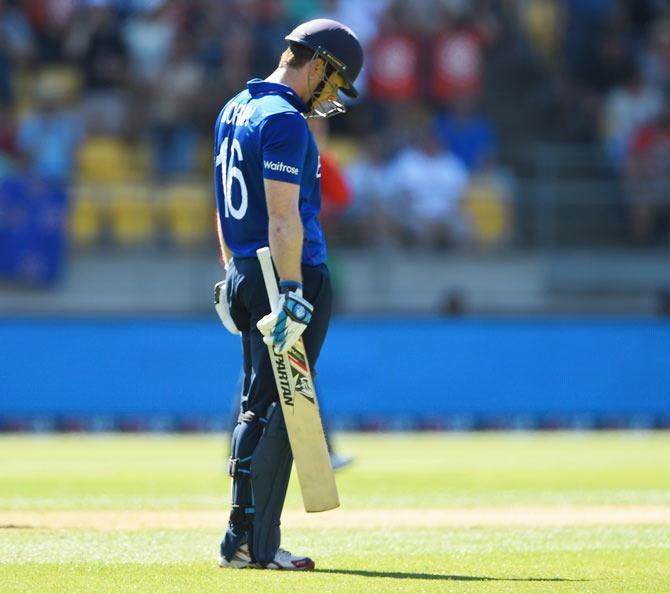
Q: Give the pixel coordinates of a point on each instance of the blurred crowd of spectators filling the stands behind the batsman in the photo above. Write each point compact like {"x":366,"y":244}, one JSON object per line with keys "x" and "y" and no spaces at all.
{"x":450,"y":88}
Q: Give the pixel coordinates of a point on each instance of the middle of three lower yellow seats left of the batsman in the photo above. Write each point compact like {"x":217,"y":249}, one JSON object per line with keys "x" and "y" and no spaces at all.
{"x":131,"y":214}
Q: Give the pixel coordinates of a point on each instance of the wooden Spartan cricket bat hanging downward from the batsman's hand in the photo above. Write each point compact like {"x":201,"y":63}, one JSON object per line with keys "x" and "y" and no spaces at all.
{"x":301,"y":412}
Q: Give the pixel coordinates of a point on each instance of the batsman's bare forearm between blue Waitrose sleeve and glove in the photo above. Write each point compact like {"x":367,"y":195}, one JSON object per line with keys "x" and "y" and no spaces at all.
{"x":285,"y":228}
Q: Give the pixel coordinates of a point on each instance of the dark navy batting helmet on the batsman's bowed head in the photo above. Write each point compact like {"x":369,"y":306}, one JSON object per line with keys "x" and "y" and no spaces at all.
{"x":335,"y":43}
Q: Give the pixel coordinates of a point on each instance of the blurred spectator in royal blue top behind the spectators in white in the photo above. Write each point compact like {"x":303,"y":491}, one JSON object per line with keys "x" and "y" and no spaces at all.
{"x":466,"y":133}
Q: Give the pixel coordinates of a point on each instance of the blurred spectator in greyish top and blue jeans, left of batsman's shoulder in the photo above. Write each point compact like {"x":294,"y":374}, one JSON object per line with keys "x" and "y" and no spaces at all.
{"x":174,"y":105}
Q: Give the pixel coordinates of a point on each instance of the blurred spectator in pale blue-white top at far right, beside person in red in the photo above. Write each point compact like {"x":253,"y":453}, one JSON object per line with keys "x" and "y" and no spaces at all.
{"x":626,"y":109}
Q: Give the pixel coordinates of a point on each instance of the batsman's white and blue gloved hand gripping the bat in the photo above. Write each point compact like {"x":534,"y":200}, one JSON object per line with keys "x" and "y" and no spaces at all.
{"x":284,"y":325}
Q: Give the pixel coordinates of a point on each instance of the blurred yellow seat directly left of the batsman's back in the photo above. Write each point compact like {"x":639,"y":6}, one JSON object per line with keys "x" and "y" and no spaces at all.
{"x":189,"y":213}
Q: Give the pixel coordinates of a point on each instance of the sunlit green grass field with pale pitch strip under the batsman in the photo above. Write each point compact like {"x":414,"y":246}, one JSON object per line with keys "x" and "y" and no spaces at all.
{"x":420,"y":513}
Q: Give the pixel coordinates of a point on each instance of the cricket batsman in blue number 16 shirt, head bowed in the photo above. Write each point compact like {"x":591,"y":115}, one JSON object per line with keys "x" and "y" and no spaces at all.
{"x":267,"y":193}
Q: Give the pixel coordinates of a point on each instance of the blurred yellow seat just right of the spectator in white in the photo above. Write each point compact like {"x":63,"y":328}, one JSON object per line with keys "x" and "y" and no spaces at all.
{"x":488,"y":209}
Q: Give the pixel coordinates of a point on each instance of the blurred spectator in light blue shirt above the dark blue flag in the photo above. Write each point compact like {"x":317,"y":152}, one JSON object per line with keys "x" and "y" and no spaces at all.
{"x":49,"y":135}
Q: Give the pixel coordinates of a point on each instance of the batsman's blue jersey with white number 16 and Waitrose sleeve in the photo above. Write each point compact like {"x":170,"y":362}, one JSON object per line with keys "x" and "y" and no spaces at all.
{"x":262,"y":134}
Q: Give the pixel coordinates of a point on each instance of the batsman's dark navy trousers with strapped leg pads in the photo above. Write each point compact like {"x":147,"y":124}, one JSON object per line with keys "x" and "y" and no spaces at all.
{"x":261,"y":458}
